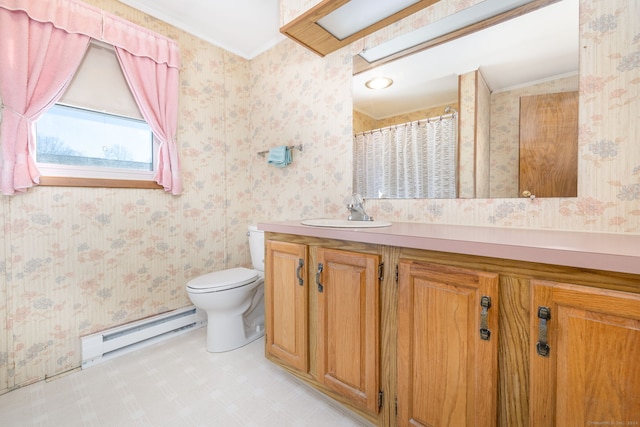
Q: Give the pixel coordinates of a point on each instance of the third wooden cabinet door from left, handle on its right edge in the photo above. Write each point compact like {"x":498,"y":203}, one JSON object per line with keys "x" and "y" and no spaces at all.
{"x":447,"y":346}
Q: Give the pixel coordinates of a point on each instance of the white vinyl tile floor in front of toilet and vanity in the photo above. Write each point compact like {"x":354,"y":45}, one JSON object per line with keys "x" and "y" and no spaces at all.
{"x":176,"y":382}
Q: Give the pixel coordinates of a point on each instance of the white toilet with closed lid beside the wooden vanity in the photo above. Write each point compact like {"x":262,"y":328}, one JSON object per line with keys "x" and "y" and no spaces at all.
{"x":233,"y":300}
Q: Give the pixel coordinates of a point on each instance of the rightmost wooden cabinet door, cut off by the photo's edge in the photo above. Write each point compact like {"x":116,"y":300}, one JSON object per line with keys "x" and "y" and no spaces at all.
{"x":585,"y":347}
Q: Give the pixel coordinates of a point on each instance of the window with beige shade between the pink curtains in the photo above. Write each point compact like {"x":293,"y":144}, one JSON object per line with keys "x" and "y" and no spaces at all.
{"x":96,"y":130}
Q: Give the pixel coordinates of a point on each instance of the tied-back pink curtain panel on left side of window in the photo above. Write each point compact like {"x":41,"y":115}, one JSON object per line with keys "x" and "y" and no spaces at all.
{"x":37,"y":62}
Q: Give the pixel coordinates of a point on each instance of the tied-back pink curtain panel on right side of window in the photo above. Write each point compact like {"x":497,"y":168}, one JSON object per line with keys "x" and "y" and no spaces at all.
{"x":155,"y":88}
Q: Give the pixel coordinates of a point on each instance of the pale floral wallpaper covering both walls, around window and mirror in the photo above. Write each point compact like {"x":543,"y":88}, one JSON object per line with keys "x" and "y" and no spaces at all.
{"x":74,"y":261}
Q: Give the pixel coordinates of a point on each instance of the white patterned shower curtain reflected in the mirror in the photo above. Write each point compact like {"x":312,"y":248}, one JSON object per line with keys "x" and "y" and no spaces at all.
{"x":410,"y":160}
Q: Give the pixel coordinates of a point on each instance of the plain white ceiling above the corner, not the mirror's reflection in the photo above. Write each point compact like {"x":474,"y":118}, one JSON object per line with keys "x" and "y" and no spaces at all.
{"x":244,"y":27}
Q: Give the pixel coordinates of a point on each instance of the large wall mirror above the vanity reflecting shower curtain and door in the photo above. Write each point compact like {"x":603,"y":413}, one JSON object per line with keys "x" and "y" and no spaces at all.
{"x":500,"y":83}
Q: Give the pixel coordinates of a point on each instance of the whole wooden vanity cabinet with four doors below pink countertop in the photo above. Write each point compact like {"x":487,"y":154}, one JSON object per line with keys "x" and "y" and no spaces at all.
{"x":411,"y":349}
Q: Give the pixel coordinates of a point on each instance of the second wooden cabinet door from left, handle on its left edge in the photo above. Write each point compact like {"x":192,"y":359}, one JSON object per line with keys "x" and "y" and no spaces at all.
{"x":348,"y":329}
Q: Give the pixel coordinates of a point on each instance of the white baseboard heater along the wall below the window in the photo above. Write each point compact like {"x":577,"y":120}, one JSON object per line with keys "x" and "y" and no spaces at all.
{"x":103,"y":345}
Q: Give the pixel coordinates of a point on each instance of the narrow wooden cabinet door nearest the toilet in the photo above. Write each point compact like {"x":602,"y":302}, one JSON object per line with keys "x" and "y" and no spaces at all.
{"x":286,"y":301}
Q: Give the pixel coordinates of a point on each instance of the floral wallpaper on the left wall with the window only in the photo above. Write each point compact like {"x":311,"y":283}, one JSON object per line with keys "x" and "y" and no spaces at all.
{"x":74,"y":261}
